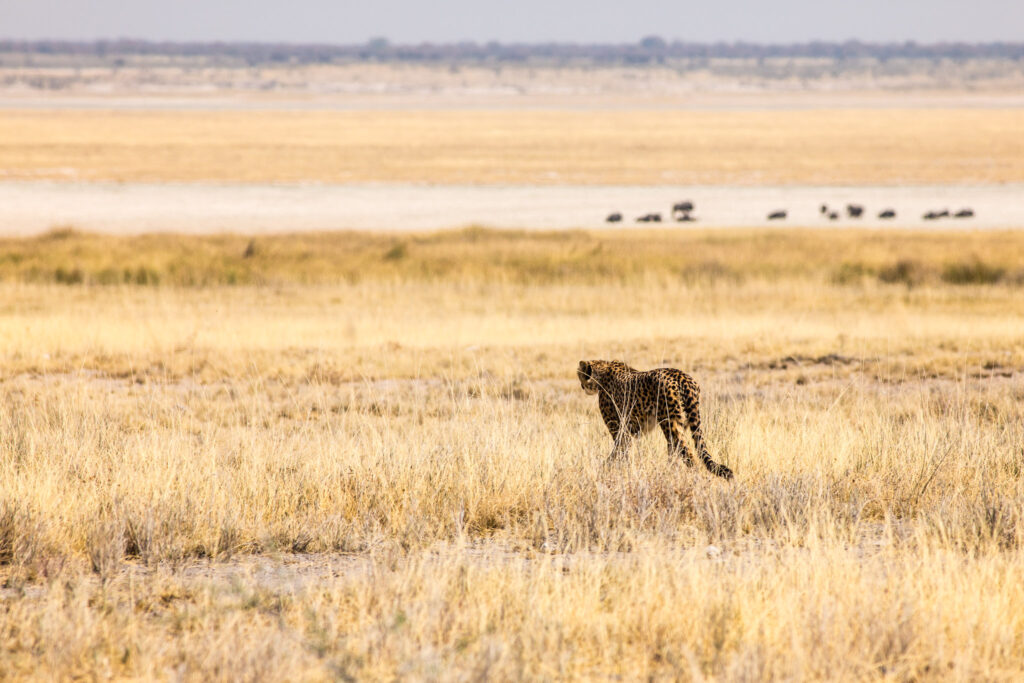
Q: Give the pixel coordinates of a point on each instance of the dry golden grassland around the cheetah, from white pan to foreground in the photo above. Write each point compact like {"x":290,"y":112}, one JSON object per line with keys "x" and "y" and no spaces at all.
{"x":367,"y":457}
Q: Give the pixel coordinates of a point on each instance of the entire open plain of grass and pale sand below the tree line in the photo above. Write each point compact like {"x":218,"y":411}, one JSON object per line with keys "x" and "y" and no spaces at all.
{"x":245,"y":450}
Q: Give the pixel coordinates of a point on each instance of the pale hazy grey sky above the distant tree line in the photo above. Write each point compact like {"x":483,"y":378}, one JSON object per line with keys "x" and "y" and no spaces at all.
{"x":532,"y":21}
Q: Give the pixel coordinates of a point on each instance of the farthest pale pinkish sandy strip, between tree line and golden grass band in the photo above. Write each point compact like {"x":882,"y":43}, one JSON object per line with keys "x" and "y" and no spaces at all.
{"x":186,"y":82}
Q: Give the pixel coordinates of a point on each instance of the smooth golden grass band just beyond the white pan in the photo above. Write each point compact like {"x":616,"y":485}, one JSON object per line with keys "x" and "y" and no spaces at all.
{"x":829,"y":147}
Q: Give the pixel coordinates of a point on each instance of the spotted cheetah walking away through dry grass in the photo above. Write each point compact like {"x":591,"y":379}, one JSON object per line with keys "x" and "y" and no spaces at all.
{"x":642,"y":400}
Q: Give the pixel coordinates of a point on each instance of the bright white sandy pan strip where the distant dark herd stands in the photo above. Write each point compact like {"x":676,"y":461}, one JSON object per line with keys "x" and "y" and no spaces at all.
{"x":33,"y":207}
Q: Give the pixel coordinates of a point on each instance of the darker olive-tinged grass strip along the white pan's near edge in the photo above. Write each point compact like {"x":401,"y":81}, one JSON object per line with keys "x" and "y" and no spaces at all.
{"x":481,"y":255}
